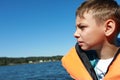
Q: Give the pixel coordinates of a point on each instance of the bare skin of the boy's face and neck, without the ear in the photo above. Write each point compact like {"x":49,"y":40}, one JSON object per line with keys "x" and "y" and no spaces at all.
{"x":91,"y":35}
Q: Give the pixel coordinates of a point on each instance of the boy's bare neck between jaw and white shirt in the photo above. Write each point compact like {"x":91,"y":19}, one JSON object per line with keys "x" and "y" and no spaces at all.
{"x":106,"y":52}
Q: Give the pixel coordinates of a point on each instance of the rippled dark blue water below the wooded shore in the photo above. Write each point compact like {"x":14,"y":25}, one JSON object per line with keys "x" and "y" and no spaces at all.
{"x":39,"y":71}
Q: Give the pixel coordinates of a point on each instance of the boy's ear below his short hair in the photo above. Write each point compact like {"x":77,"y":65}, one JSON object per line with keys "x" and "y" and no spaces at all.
{"x":109,"y":27}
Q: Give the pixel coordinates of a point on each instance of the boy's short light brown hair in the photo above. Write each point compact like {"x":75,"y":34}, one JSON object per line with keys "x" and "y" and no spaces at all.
{"x":101,"y":10}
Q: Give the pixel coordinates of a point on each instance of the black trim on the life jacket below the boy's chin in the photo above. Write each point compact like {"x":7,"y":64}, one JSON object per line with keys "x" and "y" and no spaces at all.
{"x":84,"y":58}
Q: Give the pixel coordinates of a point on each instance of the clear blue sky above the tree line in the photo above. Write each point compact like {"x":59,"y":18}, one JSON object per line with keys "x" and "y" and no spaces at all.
{"x":37,"y":27}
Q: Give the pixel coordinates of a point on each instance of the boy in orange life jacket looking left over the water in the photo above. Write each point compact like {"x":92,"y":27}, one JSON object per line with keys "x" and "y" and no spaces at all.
{"x":96,"y":55}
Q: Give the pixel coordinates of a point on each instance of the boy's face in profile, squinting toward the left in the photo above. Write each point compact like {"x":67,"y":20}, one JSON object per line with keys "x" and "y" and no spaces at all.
{"x":89,"y":34}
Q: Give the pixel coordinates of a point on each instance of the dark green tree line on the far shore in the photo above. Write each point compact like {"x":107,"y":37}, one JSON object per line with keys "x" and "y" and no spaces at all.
{"x":24,"y":60}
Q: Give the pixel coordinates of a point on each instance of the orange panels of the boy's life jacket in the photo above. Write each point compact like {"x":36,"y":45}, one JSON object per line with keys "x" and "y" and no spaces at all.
{"x":77,"y":70}
